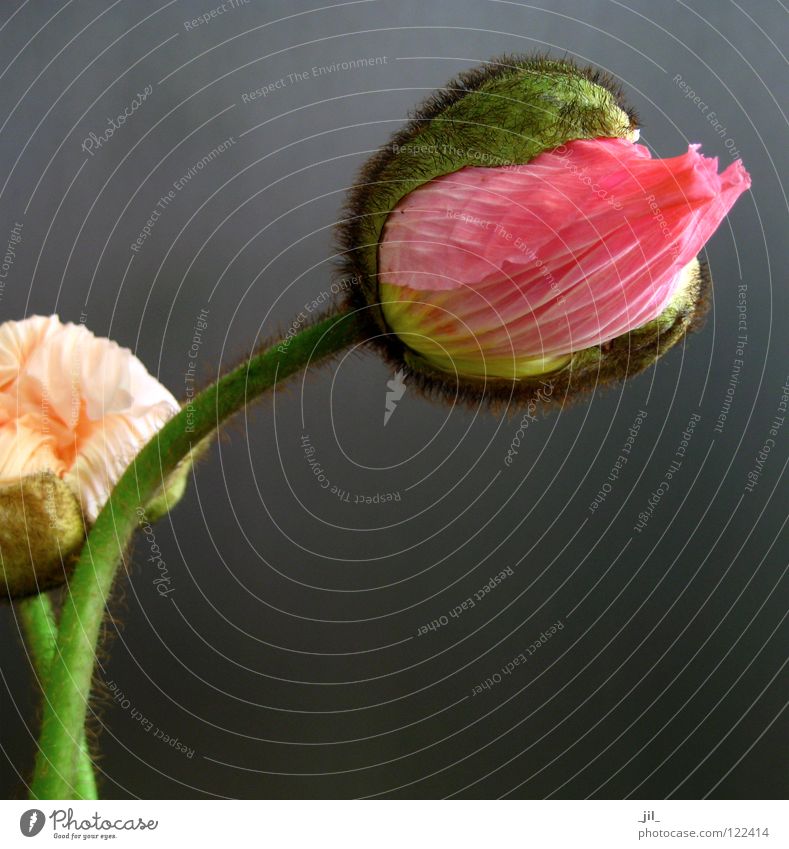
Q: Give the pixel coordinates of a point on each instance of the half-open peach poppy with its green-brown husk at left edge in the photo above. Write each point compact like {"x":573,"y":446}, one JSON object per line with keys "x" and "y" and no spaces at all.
{"x":74,"y":411}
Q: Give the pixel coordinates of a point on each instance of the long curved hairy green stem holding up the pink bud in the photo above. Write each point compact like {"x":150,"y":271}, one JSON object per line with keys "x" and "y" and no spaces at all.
{"x":68,"y":685}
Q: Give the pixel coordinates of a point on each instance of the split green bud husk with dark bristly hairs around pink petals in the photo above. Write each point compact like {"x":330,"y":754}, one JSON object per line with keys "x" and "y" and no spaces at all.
{"x":504,"y":113}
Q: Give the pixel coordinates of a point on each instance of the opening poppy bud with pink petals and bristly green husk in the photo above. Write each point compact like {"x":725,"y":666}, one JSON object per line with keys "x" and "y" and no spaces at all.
{"x":515,"y":232}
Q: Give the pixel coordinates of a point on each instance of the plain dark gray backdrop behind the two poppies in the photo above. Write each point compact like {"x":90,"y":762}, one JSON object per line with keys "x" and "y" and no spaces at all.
{"x":287,"y":655}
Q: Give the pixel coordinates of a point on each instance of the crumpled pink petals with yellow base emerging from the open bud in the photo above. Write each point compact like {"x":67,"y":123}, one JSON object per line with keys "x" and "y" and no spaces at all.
{"x":580,"y":245}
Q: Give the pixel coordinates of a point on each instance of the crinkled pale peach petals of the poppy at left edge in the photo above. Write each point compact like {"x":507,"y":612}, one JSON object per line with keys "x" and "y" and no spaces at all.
{"x":75,"y":404}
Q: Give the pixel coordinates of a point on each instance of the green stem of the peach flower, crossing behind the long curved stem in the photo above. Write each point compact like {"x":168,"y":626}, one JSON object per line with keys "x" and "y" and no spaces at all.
{"x":41,"y":629}
